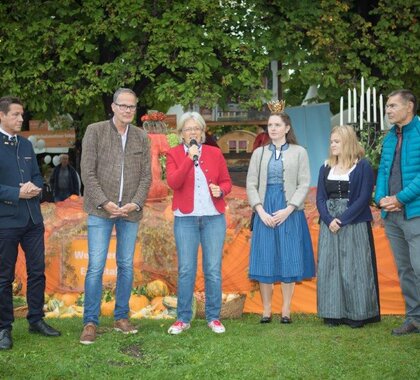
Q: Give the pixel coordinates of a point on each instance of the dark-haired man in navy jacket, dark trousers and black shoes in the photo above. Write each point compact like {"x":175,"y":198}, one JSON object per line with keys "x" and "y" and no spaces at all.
{"x":20,"y":222}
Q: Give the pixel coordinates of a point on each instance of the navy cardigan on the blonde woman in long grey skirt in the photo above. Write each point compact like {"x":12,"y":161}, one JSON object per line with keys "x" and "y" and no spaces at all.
{"x":360,"y":186}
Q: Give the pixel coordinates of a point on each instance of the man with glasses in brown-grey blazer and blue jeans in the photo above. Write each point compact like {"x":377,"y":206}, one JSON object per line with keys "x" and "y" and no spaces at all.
{"x":116,"y":174}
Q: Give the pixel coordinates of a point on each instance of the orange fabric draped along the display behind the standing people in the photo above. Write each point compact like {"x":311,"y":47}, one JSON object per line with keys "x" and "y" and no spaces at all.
{"x":65,"y":255}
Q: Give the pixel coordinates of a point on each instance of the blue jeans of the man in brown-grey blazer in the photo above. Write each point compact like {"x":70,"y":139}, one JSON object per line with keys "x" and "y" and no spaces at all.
{"x":99,"y":235}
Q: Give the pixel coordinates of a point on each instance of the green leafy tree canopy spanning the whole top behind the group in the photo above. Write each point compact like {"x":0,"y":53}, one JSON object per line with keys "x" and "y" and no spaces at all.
{"x":71,"y":55}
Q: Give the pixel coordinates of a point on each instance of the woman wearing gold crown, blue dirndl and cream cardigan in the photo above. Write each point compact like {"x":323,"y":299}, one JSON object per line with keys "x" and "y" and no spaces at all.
{"x":277,"y":184}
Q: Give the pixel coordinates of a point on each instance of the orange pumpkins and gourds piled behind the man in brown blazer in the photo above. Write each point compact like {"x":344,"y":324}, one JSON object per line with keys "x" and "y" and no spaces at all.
{"x":150,"y":301}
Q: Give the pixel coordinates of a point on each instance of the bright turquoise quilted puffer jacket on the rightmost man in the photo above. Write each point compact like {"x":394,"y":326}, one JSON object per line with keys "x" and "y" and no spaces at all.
{"x":409,"y":196}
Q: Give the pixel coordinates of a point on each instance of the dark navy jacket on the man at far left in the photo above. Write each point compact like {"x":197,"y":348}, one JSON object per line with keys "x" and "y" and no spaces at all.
{"x":18,"y":165}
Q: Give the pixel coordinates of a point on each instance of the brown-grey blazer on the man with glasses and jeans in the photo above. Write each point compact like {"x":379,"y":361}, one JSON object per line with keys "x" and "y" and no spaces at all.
{"x":102,"y":158}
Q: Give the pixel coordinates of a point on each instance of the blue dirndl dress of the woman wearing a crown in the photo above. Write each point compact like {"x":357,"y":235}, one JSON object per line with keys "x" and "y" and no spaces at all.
{"x":283,"y":253}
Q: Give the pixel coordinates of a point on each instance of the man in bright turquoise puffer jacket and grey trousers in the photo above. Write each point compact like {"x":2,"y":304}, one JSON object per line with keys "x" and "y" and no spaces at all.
{"x":398,"y":195}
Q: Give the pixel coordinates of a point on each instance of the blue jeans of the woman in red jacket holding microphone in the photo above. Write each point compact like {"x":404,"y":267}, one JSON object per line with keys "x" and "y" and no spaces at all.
{"x":190,"y":231}
